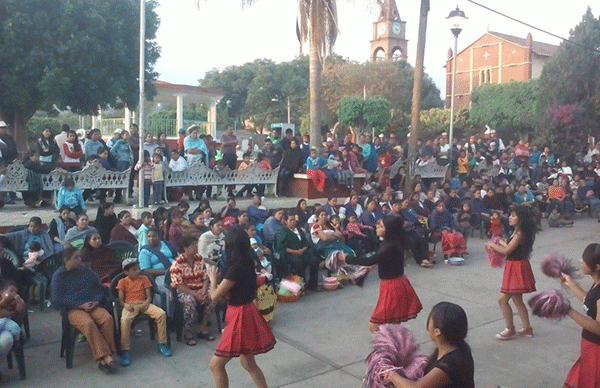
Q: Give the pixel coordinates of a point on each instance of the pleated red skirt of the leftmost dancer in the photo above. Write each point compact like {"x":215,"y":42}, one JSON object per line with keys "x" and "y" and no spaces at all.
{"x":246,"y":332}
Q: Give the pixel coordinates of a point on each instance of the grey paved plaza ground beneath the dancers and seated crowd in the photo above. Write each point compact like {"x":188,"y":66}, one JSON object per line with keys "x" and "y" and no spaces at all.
{"x":322,"y":340}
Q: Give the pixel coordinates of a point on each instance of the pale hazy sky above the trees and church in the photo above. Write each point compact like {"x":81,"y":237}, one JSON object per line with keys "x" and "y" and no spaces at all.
{"x":221,"y":33}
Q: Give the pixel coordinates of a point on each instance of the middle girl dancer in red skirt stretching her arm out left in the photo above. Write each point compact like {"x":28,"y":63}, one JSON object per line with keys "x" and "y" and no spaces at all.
{"x":398,"y":302}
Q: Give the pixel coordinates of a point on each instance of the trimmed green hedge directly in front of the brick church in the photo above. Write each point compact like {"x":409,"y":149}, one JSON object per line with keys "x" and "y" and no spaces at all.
{"x":507,"y":107}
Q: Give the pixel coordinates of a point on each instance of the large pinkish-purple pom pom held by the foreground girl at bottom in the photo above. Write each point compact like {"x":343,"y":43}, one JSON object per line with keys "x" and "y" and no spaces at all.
{"x":394,"y":349}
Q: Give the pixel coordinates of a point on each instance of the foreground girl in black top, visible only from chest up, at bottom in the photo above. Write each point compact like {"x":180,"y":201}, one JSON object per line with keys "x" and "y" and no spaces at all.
{"x":451,"y":364}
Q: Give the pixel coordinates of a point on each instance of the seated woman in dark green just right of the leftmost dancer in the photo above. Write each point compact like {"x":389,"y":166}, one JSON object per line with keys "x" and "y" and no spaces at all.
{"x":295,"y":254}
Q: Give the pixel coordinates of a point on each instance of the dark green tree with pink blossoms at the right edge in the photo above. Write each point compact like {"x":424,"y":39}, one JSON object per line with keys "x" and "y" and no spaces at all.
{"x":569,"y":103}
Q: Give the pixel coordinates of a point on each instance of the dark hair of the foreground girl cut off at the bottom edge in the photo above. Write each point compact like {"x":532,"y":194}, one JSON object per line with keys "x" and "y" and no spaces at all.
{"x":452,"y":322}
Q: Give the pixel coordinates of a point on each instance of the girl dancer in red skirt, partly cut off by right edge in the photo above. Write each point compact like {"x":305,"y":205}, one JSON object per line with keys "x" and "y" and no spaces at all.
{"x":586,"y":371}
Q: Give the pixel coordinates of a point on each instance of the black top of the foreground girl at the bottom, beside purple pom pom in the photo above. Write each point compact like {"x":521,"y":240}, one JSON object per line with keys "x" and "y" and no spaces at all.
{"x":459,"y":366}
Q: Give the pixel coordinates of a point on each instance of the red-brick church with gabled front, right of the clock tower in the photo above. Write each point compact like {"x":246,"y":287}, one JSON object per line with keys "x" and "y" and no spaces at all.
{"x":495,"y":58}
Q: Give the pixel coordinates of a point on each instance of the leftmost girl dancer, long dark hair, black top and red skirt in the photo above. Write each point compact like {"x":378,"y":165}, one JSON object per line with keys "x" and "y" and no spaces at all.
{"x":246,"y":333}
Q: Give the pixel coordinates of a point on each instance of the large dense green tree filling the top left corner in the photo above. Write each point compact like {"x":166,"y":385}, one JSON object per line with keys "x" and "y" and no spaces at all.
{"x":71,"y":54}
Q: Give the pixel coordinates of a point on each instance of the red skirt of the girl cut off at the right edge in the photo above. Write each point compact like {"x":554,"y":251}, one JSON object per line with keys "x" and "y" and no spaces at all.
{"x":585,"y":373}
